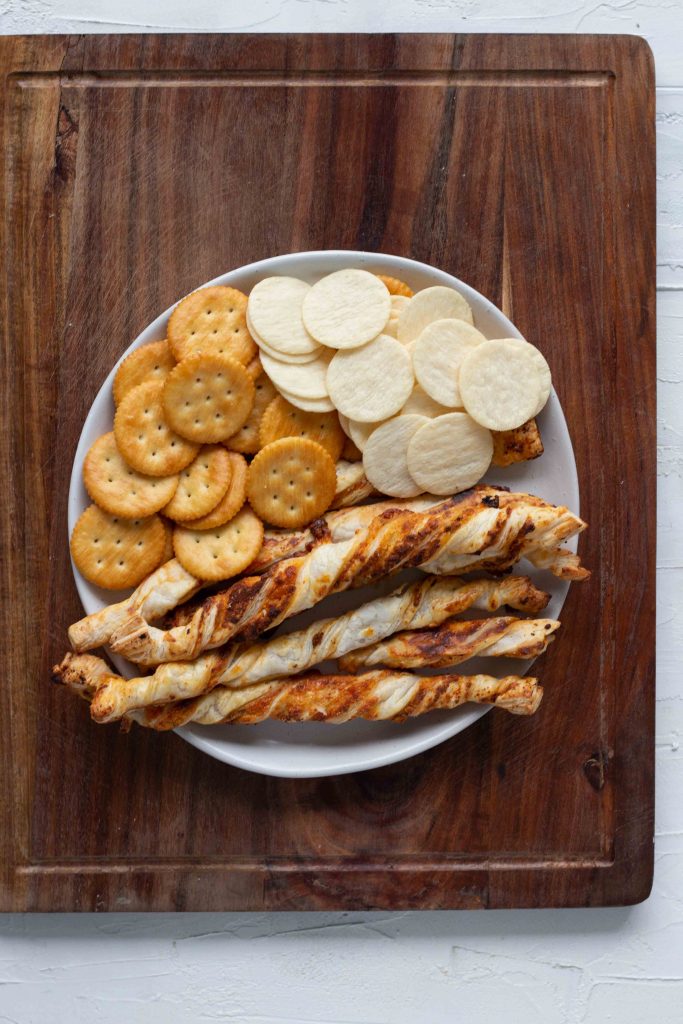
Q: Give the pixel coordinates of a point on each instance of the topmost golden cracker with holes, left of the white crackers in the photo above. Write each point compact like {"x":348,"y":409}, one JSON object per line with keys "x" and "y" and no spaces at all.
{"x":212,"y":321}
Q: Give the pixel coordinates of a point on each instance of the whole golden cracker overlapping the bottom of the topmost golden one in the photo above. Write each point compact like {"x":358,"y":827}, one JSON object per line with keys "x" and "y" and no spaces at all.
{"x":207,"y":399}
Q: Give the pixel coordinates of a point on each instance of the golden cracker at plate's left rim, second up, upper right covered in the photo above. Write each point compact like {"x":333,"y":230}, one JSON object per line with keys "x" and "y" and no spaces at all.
{"x":118,"y":489}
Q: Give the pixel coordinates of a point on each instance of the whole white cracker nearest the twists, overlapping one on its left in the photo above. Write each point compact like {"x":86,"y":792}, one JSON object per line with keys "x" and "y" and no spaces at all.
{"x":450,"y":454}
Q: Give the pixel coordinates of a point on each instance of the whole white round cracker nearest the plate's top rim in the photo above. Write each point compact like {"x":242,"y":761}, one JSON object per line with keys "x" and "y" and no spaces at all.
{"x":347,"y":309}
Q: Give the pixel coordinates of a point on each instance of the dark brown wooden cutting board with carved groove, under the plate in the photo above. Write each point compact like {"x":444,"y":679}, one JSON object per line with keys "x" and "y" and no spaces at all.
{"x":137,"y":168}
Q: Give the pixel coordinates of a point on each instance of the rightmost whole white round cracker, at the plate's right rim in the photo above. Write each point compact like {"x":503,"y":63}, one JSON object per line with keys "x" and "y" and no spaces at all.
{"x":504,"y":382}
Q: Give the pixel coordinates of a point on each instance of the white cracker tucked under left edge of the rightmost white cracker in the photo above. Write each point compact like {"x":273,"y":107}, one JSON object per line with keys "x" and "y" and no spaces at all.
{"x":438,"y":355}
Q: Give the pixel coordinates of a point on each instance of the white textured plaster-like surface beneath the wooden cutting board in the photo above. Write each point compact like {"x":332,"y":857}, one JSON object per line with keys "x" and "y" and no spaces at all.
{"x":543,"y":967}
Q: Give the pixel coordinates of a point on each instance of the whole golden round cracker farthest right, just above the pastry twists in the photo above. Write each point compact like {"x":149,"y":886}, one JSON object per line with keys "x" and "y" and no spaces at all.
{"x":291,"y":483}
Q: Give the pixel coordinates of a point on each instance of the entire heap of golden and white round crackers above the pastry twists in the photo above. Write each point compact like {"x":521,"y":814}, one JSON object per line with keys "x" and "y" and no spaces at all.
{"x":239,"y":418}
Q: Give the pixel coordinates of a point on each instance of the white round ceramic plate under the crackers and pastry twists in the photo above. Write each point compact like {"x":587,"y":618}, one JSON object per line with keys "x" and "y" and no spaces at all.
{"x":314,"y":750}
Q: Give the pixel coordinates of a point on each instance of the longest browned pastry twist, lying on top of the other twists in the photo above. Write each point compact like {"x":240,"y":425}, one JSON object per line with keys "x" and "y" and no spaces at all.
{"x":463,"y":534}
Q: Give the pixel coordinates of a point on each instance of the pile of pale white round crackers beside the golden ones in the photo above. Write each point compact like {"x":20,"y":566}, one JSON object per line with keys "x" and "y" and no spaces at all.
{"x":419,"y":392}
